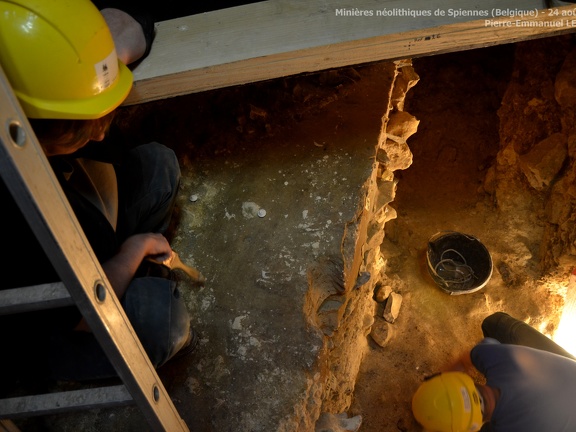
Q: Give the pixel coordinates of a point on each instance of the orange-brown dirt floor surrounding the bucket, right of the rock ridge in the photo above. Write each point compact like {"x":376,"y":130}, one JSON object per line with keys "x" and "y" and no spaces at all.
{"x":456,"y":101}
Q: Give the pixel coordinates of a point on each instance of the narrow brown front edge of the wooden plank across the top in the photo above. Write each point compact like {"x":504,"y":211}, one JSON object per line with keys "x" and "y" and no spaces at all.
{"x":411,"y":44}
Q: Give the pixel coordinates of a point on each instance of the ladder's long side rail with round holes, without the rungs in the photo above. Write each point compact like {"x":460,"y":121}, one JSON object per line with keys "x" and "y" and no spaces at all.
{"x":30,"y":179}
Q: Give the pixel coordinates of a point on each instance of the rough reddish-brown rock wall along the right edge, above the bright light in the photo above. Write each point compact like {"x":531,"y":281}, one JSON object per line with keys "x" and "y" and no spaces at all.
{"x":535,"y":167}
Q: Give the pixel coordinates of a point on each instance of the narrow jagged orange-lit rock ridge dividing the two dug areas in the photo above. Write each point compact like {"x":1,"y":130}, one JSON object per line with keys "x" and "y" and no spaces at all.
{"x":346,"y":315}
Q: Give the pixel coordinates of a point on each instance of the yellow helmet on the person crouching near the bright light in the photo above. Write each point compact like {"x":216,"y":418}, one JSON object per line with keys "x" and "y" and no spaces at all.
{"x":448,"y":402}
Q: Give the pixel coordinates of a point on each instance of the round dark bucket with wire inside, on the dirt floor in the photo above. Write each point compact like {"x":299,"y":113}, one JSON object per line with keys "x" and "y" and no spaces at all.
{"x":458,"y":263}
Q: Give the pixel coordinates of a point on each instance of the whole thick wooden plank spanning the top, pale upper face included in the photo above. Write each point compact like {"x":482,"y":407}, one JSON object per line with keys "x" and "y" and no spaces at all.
{"x":278,"y":38}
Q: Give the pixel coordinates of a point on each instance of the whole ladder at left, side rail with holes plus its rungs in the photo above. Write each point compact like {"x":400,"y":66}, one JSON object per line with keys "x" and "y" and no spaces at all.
{"x":30,"y":179}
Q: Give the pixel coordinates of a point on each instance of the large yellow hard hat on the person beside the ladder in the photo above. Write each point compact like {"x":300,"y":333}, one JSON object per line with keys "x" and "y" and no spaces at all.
{"x":60,"y":59}
